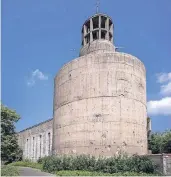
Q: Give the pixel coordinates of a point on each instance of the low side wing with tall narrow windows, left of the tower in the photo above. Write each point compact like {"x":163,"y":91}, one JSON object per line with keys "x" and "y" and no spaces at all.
{"x":36,"y":141}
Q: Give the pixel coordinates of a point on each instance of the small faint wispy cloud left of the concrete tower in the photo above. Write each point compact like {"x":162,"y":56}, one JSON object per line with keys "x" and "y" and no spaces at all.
{"x":36,"y":75}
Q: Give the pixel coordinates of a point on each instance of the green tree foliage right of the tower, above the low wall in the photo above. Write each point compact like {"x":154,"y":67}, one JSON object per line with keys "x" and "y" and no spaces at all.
{"x":160,"y":142}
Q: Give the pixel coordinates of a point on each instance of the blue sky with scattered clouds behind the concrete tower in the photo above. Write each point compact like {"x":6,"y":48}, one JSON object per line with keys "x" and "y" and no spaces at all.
{"x":38,"y":37}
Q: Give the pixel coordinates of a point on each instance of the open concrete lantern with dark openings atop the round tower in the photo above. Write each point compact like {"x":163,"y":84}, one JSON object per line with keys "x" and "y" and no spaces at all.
{"x":97,"y":34}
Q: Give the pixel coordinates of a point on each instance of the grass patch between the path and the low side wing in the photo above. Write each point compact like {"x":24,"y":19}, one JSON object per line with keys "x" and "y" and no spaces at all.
{"x":27,"y":164}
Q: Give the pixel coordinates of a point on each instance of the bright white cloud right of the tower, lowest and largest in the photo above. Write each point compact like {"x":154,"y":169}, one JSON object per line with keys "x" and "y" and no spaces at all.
{"x":160,"y":107}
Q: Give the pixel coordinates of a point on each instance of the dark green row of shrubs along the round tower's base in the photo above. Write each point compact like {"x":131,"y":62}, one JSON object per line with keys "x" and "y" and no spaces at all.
{"x":138,"y":164}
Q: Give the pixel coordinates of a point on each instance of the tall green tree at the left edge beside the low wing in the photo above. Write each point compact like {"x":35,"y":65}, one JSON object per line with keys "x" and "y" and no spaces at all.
{"x":10,"y":150}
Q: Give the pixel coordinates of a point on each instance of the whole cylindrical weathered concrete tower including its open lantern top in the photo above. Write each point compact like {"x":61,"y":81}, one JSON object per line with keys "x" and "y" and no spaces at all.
{"x":100,"y":98}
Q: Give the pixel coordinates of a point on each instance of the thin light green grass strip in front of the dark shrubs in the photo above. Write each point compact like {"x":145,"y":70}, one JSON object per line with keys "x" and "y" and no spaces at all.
{"x":88,"y":173}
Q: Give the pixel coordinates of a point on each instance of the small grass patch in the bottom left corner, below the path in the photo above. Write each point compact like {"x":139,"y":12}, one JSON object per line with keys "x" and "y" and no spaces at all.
{"x":9,"y":171}
